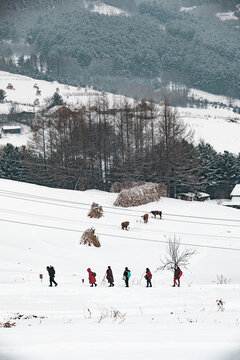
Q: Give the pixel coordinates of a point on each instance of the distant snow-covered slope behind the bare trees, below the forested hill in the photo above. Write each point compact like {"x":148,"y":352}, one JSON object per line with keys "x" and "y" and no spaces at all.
{"x":219,"y":127}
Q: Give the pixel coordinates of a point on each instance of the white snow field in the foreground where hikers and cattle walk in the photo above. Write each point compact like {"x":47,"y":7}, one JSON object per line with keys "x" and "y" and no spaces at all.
{"x":42,"y":226}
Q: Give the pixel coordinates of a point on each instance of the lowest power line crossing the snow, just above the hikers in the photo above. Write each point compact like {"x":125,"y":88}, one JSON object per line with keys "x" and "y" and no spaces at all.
{"x":119,"y":236}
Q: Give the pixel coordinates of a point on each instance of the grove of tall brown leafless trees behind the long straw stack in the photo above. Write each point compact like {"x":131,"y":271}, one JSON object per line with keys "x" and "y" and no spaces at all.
{"x":101,"y":143}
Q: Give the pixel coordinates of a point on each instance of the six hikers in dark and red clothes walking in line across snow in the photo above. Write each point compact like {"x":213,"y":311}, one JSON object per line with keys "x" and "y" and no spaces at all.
{"x":110,"y":279}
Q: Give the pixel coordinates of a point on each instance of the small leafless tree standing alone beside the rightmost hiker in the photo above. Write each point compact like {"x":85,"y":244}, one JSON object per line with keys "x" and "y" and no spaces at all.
{"x":175,"y":256}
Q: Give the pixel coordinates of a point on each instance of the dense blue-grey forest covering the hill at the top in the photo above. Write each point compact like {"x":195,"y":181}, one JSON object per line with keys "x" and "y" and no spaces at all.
{"x":156,"y":44}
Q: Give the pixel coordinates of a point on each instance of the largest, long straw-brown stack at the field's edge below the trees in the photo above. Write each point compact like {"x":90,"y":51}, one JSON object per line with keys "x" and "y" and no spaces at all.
{"x":142,"y":194}
